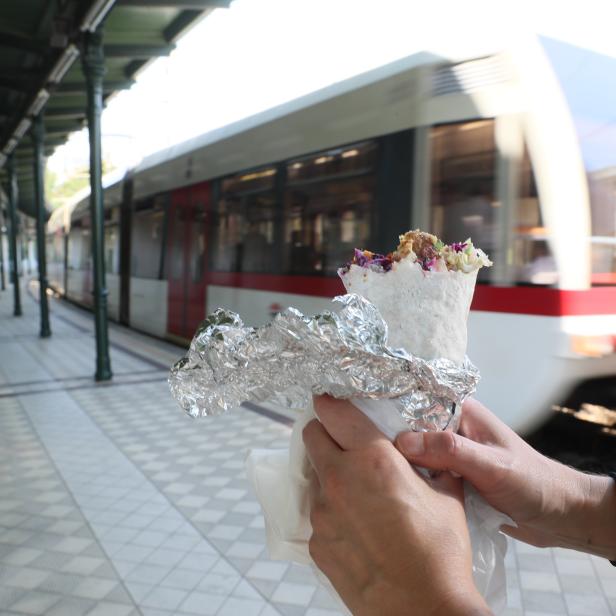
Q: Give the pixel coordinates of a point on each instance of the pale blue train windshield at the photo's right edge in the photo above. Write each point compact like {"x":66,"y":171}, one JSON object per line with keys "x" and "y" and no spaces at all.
{"x":588,"y":82}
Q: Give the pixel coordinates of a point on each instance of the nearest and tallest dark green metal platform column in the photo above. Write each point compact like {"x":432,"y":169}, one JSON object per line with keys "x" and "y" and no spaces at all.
{"x":93,"y":65}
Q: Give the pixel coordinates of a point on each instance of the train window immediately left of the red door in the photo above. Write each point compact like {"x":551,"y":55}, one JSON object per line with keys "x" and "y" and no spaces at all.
{"x":147,"y":240}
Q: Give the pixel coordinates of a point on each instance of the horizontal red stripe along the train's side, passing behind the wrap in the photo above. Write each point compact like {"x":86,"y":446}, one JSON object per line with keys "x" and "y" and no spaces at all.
{"x":517,"y":300}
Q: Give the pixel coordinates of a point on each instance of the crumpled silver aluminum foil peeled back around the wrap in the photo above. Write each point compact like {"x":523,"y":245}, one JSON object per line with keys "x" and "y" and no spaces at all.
{"x":344,"y":354}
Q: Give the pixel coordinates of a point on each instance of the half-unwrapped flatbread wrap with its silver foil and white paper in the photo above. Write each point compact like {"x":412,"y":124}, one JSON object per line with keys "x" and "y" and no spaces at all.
{"x":396,"y":349}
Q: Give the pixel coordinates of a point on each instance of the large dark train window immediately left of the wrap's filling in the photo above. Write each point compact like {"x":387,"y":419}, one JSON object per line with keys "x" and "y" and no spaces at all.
{"x":328,"y":208}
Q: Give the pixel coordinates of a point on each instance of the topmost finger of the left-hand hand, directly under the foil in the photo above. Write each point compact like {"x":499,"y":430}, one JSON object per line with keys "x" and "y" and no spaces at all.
{"x":346,"y":424}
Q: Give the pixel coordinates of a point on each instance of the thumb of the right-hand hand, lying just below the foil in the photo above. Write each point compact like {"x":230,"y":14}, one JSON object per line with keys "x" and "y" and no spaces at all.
{"x":446,"y":451}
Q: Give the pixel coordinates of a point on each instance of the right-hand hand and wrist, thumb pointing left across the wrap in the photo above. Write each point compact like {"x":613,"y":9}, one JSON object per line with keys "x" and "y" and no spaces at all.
{"x":551,"y":504}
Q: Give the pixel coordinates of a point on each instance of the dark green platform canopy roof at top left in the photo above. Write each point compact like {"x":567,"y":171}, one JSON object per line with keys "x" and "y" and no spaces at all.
{"x":39,"y":64}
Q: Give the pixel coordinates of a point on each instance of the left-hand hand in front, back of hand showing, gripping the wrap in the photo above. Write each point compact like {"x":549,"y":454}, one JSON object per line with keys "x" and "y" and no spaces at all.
{"x":390,"y":541}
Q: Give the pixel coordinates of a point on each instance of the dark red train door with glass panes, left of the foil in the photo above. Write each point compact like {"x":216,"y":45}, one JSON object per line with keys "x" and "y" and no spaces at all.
{"x":187,"y":255}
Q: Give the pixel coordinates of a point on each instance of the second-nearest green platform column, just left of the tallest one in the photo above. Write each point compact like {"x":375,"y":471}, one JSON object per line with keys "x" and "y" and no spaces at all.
{"x":38,"y":134}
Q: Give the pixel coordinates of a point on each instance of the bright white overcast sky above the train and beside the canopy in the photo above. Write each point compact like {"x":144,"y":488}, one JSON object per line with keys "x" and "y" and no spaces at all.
{"x":261,"y":53}
